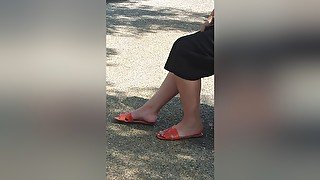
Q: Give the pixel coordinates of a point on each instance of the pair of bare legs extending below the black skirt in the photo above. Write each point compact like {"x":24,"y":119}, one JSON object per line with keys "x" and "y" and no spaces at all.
{"x":190,"y":98}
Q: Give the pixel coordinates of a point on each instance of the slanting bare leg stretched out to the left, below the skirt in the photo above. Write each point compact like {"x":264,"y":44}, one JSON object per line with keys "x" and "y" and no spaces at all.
{"x":151,"y":108}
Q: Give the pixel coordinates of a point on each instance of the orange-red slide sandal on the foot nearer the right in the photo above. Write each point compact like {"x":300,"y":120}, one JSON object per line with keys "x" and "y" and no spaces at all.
{"x":171,"y":134}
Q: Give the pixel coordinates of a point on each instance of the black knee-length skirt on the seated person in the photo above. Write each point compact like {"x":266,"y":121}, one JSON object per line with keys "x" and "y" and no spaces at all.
{"x":191,"y":56}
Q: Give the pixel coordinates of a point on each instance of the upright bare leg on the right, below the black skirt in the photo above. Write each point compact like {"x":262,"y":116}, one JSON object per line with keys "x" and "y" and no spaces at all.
{"x":189,"y":91}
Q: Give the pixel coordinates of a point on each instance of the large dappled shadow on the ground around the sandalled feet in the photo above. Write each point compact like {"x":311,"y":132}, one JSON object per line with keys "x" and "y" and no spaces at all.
{"x":133,"y":150}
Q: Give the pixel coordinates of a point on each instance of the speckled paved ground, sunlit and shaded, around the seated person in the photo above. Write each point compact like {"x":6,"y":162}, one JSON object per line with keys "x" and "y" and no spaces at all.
{"x":139,"y":37}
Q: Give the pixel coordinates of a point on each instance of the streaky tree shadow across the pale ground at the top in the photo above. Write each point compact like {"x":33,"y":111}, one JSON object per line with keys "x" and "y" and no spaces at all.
{"x":128,"y":20}
